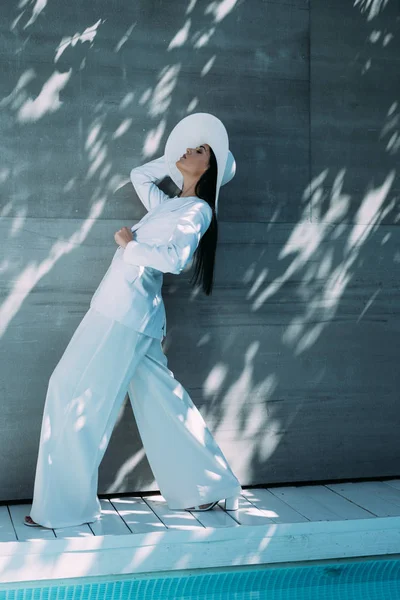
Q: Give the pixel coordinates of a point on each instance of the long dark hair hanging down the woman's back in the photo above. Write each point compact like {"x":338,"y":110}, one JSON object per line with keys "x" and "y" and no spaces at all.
{"x":204,"y":256}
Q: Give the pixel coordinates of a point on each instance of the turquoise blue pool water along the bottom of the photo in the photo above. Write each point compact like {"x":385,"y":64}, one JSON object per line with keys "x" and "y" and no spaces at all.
{"x":369,"y":580}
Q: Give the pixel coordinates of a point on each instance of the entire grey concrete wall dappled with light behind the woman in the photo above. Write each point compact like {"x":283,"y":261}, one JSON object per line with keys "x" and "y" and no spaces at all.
{"x":292,"y":361}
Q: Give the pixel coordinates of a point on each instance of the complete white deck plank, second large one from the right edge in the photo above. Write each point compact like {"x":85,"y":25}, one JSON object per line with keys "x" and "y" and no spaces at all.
{"x":319,"y":503}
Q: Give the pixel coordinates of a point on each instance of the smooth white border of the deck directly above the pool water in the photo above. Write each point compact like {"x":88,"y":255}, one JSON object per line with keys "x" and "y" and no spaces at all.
{"x":201,"y":548}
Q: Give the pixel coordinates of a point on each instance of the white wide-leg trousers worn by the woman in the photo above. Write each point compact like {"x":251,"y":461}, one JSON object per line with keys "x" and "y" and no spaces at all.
{"x":102,"y":362}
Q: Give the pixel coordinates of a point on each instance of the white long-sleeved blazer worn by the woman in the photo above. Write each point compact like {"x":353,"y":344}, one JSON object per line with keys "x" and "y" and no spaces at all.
{"x":164,"y":241}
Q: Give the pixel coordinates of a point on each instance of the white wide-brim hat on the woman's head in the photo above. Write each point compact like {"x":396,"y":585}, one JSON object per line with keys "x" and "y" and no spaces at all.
{"x":192,"y":131}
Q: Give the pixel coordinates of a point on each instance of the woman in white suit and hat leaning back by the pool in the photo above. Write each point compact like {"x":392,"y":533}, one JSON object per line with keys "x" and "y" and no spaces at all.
{"x":117,"y":348}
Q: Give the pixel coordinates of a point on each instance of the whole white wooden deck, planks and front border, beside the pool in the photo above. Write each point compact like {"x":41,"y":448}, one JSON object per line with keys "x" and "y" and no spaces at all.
{"x":273,"y":525}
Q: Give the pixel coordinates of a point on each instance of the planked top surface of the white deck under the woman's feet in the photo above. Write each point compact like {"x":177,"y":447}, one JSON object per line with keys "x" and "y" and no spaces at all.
{"x":259,"y":506}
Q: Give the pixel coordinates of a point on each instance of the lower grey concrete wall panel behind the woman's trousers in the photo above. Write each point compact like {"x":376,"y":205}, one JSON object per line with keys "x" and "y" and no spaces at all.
{"x":244,"y":361}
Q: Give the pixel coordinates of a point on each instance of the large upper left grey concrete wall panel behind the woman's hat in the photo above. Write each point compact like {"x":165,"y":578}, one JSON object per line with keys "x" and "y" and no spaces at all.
{"x":104,"y":89}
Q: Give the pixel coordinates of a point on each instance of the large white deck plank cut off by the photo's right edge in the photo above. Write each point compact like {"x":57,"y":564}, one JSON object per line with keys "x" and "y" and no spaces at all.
{"x":381,"y":500}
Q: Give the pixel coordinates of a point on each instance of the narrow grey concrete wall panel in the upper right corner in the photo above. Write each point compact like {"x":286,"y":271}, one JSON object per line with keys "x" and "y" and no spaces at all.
{"x":355,"y":90}
